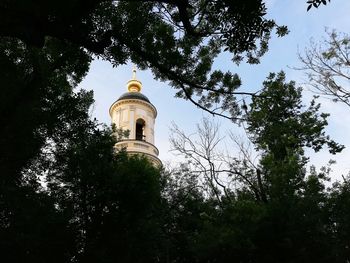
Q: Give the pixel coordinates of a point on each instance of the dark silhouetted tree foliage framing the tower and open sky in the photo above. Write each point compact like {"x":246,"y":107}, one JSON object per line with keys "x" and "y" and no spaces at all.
{"x":67,"y":195}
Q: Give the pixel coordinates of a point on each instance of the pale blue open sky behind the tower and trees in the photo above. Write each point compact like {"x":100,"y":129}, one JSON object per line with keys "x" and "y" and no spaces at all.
{"x":109,"y":83}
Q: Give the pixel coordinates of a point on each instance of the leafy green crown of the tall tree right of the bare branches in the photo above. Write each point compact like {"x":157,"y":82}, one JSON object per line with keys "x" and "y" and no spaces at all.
{"x":278,"y":119}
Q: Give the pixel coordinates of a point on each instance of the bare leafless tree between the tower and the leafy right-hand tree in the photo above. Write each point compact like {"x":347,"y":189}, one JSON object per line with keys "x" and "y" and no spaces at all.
{"x":219,"y":173}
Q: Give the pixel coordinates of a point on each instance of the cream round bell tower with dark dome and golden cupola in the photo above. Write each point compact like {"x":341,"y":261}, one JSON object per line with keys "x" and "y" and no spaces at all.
{"x":134,"y":112}
